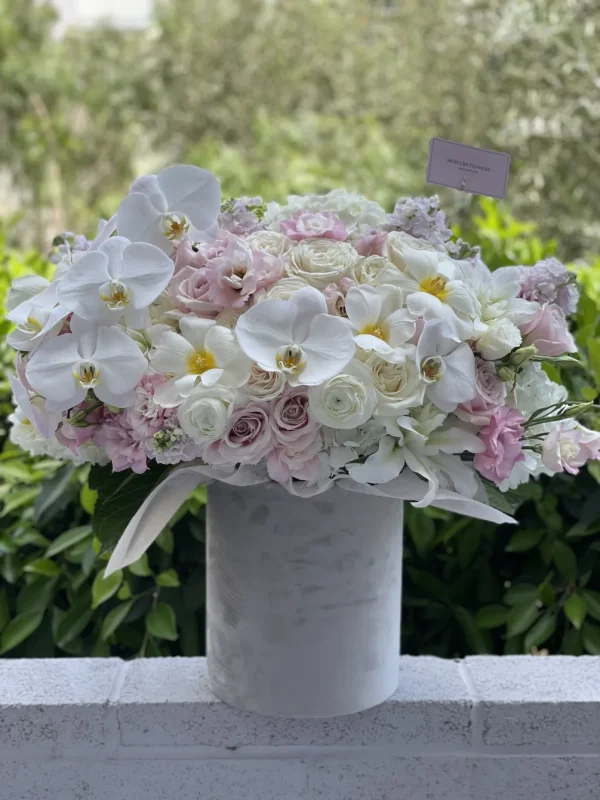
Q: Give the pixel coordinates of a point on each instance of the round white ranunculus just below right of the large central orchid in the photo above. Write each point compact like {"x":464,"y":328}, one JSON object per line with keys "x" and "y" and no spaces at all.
{"x":346,"y":400}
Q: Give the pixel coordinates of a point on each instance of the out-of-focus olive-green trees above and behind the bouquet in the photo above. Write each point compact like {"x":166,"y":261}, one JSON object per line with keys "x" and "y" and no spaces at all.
{"x":280,"y":96}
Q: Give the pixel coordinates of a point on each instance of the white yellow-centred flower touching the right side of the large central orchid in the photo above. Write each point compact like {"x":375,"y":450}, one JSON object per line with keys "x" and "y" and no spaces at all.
{"x":379,"y":322}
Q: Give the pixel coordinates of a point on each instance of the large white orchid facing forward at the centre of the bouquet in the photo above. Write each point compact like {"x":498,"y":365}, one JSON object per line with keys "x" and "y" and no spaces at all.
{"x":296,"y":337}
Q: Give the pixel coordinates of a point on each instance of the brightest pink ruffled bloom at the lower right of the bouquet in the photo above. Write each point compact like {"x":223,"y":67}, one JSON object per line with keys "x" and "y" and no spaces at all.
{"x":502,"y":439}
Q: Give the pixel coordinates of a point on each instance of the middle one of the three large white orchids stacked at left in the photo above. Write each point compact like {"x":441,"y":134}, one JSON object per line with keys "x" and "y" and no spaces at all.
{"x":119,"y":279}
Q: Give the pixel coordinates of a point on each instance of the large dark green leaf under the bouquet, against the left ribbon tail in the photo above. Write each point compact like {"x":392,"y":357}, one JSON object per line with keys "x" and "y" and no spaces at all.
{"x":119,"y":497}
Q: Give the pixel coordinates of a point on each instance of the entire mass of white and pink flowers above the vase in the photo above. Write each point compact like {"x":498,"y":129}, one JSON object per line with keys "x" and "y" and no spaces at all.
{"x":316,"y":340}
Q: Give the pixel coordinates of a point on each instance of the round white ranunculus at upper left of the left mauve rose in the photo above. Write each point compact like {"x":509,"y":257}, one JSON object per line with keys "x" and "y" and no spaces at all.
{"x":205,"y":413}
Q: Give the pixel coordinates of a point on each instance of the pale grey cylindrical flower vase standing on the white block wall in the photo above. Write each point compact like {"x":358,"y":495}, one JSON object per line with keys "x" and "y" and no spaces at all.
{"x":303,"y":599}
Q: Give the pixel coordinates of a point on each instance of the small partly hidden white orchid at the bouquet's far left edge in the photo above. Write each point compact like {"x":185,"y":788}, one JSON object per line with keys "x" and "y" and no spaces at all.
{"x":36,"y":318}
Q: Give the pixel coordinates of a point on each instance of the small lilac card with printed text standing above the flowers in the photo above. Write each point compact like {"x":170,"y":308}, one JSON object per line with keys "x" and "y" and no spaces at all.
{"x":470,"y":169}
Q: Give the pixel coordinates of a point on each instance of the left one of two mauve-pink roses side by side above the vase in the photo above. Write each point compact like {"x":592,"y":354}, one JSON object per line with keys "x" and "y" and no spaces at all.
{"x":247,"y":440}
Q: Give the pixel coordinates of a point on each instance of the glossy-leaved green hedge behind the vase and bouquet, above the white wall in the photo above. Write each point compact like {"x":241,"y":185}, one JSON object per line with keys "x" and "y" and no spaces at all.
{"x":469,"y":587}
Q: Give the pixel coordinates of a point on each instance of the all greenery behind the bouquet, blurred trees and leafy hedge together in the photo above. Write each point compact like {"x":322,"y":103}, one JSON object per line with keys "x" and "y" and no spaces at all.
{"x":81,"y":114}
